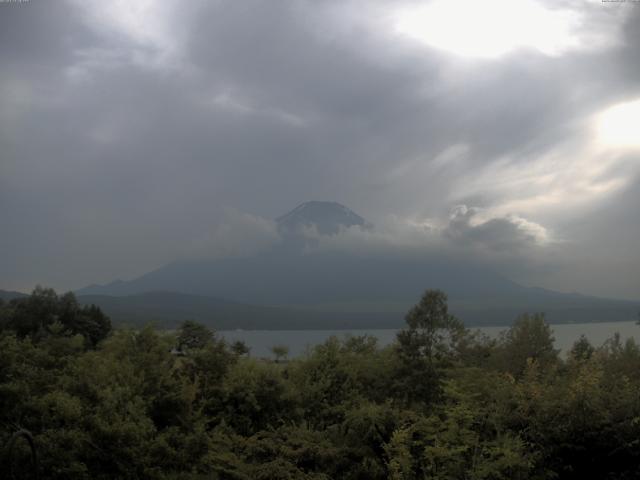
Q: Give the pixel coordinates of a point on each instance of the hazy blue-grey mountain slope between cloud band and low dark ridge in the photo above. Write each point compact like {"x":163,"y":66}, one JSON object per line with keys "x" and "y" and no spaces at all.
{"x":315,"y":278}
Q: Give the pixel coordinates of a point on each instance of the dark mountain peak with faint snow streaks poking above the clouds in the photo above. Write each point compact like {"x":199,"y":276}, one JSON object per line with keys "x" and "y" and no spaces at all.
{"x":327,"y":217}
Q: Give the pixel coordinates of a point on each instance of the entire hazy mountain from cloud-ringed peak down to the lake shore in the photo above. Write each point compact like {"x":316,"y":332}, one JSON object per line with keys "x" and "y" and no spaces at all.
{"x":334,"y":284}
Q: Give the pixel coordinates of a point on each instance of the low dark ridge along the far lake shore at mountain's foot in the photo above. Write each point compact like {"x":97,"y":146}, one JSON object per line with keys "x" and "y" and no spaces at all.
{"x":168,"y":309}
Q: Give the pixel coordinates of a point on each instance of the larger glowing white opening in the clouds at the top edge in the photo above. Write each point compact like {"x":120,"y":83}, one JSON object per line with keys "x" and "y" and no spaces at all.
{"x":489,"y":28}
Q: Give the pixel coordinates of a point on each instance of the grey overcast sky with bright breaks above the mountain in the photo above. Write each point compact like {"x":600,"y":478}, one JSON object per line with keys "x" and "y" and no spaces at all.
{"x":132,"y":131}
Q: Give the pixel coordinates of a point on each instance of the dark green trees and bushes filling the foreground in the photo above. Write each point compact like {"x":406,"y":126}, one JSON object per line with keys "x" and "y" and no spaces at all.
{"x":440,"y":403}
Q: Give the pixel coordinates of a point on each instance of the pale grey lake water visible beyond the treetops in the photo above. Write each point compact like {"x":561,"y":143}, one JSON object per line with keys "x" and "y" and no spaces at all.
{"x":298,"y":341}
